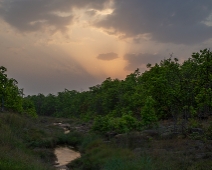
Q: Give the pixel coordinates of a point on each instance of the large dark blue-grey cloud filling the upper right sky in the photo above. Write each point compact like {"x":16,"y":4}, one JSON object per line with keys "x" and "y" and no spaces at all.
{"x":175,"y":21}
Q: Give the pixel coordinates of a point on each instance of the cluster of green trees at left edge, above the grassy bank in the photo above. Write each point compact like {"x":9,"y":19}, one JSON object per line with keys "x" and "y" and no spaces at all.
{"x":11,"y":96}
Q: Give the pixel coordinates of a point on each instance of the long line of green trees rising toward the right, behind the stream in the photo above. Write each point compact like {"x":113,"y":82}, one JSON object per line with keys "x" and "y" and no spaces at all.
{"x":168,"y":89}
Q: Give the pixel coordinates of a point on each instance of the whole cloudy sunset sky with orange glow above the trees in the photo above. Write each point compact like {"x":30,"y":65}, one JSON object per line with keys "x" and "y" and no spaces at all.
{"x":50,"y":45}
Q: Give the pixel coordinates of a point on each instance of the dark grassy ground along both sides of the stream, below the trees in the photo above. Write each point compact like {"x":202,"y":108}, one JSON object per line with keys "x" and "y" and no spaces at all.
{"x":27,"y":143}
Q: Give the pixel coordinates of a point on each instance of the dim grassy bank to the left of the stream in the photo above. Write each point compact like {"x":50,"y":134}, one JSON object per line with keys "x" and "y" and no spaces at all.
{"x":27,"y":143}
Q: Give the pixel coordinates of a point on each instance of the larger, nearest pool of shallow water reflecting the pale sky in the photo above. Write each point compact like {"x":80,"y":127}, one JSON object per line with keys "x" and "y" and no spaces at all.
{"x":65,"y":155}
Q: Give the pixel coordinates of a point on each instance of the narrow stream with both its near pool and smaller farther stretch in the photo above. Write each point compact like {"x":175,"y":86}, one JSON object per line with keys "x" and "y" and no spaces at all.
{"x":64,"y":154}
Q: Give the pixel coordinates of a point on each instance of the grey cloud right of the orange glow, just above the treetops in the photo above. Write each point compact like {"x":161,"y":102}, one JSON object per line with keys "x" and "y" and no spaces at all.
{"x":137,"y":60}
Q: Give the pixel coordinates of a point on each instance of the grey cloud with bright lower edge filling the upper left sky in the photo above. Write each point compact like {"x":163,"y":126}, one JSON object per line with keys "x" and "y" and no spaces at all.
{"x":33,"y":15}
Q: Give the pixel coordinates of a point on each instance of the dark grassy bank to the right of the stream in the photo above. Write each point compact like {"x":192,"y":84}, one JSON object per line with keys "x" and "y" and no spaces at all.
{"x":141,"y":152}
